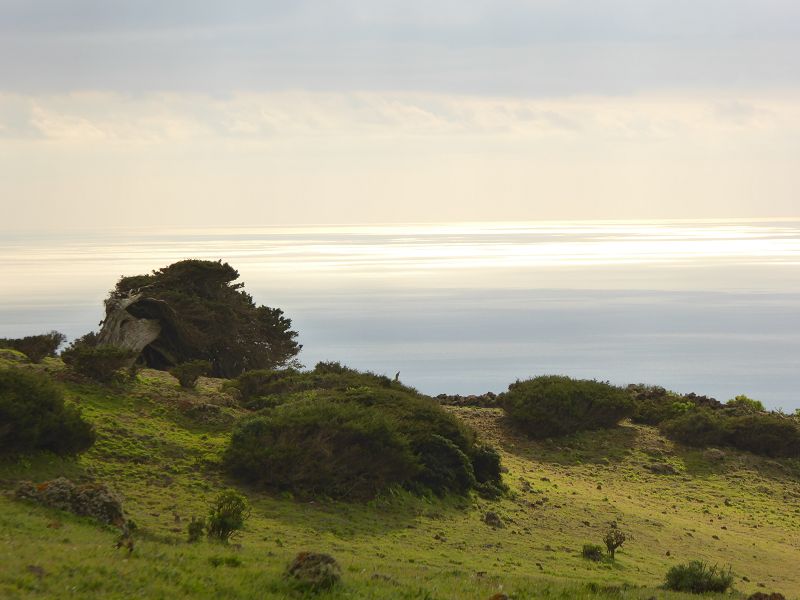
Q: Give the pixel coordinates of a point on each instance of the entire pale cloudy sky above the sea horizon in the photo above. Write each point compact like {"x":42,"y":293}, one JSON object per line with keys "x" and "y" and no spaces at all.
{"x":243,"y":113}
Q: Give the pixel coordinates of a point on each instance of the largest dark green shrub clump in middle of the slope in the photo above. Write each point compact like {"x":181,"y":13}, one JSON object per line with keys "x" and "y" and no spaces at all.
{"x":345,"y":439}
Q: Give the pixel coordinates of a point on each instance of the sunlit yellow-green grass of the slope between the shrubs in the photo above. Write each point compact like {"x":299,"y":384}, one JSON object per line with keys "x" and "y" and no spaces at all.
{"x":164,"y":465}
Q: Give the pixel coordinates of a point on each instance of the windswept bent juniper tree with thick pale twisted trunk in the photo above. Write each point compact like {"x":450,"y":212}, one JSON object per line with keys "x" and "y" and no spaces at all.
{"x":193,"y":310}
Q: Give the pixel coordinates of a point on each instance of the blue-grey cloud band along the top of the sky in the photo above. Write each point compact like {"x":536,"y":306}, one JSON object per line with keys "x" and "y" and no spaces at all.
{"x":509,"y":47}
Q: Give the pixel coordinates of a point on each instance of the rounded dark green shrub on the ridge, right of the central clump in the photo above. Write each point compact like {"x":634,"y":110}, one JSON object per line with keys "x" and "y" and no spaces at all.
{"x":555,"y":405}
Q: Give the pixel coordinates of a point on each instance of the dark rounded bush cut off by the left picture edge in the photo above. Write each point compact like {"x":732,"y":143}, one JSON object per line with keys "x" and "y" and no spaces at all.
{"x":33,"y":416}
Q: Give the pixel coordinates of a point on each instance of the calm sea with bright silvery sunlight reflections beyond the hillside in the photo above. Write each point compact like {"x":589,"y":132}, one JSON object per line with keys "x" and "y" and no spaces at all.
{"x":704,"y":306}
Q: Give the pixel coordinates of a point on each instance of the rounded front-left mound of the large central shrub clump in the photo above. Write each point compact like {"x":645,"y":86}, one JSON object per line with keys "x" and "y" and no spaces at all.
{"x":320,"y":447}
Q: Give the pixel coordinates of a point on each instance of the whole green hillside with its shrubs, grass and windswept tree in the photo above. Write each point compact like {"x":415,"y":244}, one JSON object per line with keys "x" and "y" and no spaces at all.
{"x":124,"y":481}
